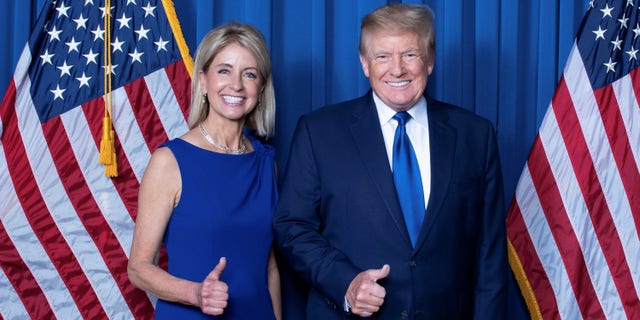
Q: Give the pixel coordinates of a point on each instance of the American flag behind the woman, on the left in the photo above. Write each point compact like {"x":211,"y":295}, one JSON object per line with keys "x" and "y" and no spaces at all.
{"x":65,"y":227}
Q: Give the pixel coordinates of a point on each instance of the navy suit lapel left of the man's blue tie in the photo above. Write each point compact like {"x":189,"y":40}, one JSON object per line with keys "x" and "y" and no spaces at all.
{"x":365,"y":128}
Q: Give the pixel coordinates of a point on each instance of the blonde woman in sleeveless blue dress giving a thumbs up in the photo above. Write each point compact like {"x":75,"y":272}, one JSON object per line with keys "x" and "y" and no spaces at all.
{"x":209,"y":195}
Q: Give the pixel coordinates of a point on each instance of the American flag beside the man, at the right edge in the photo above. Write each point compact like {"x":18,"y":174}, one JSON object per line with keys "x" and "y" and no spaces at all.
{"x":574,"y":224}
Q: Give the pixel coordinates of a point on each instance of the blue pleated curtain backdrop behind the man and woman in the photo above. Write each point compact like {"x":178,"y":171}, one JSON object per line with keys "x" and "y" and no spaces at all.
{"x":500,"y":59}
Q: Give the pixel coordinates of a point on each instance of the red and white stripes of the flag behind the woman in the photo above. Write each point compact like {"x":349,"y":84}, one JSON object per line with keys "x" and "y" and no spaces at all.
{"x":66,"y":228}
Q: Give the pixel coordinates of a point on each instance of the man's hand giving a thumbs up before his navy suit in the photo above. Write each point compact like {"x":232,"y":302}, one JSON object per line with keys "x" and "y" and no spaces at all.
{"x":364,"y":294}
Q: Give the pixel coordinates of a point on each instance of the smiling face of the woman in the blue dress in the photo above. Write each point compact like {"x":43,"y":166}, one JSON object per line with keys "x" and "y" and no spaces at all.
{"x":232,"y":83}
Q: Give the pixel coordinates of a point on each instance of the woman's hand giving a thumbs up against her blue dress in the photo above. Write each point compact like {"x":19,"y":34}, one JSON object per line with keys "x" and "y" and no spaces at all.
{"x":214,"y":293}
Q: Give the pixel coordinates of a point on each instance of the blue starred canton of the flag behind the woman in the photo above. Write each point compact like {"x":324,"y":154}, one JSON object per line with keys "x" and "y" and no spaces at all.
{"x":68,"y":67}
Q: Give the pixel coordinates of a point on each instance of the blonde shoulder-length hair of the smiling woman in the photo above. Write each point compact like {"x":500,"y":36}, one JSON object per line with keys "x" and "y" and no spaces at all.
{"x":262,"y":118}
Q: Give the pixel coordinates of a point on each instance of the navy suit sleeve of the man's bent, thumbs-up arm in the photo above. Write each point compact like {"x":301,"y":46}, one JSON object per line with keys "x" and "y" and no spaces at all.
{"x":298,"y":222}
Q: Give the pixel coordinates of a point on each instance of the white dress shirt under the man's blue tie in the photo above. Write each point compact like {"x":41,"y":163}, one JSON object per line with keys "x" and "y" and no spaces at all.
{"x":418,"y":131}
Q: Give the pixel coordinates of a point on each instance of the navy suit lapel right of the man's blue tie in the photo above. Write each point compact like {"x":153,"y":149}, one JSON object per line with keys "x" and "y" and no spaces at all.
{"x":442,"y":140}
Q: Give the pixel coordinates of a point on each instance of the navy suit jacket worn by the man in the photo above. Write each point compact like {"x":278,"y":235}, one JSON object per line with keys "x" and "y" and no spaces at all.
{"x":339,"y":215}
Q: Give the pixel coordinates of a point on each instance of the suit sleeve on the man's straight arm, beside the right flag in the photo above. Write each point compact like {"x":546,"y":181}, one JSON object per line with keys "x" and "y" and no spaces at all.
{"x":492,"y":268}
